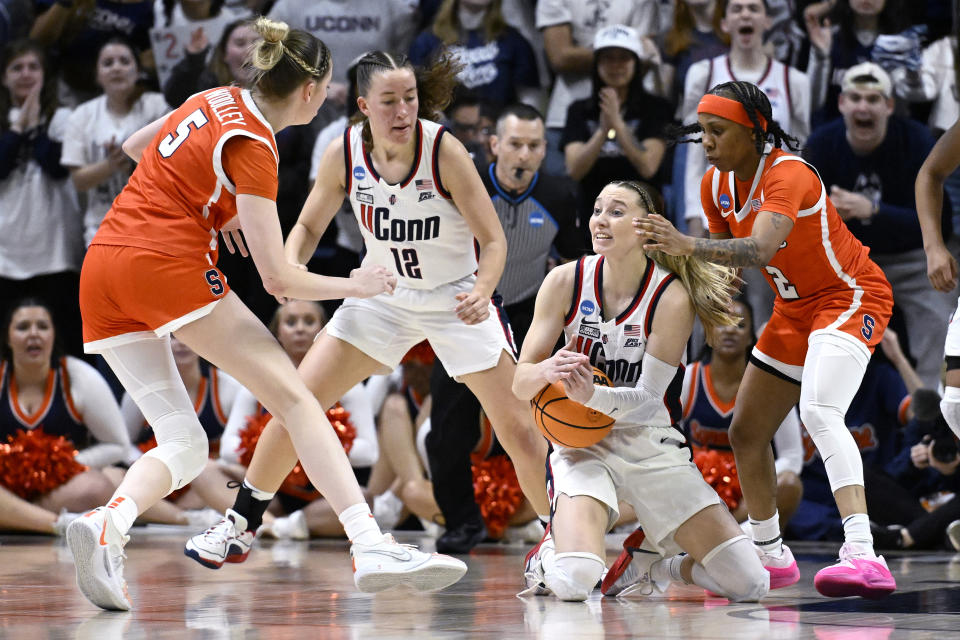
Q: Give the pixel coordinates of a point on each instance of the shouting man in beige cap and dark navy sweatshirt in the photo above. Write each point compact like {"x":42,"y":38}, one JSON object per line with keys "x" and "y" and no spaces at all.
{"x":869,"y":159}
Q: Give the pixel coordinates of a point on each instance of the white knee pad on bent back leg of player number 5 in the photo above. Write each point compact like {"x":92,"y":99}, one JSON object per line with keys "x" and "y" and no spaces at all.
{"x":181,"y":446}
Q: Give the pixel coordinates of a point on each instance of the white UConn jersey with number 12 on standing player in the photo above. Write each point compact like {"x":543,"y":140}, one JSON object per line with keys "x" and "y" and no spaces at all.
{"x":412,"y":227}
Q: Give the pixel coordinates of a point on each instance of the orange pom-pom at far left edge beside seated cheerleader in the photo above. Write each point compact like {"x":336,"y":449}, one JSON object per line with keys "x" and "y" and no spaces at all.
{"x":34,"y":463}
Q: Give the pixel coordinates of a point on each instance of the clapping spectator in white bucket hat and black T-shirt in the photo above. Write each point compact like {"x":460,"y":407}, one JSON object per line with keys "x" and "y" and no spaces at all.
{"x":618,"y":132}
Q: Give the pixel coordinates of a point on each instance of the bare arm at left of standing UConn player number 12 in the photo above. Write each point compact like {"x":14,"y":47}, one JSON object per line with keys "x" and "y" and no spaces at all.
{"x":321,"y":205}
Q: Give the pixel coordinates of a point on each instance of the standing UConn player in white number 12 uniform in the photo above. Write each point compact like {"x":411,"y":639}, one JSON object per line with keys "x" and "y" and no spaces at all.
{"x":420,"y":204}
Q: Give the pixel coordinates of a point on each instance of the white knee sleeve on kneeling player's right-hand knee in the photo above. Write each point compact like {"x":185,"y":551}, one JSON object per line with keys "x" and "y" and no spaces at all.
{"x":733,"y":569}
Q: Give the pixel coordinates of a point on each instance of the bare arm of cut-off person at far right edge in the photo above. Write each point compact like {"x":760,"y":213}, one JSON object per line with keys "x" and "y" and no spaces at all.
{"x":943,"y":160}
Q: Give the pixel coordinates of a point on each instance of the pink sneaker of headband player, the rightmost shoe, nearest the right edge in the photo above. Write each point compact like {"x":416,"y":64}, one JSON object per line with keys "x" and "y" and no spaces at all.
{"x":858,"y":573}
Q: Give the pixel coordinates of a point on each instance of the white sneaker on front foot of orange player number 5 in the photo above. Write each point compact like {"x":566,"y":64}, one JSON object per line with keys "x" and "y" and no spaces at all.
{"x":388,"y":564}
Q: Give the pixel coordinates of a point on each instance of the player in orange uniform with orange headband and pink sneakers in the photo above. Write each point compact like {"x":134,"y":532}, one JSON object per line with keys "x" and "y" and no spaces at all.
{"x":769,"y":209}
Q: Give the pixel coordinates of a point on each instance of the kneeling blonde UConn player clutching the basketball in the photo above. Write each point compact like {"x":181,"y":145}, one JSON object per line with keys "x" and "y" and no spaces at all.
{"x":630,"y":315}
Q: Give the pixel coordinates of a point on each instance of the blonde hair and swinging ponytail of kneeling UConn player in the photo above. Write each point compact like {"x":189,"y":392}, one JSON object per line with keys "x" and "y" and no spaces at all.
{"x":711,"y":286}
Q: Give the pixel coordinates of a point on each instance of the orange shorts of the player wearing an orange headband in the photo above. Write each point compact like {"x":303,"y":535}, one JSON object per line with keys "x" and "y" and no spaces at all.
{"x":784,"y":338}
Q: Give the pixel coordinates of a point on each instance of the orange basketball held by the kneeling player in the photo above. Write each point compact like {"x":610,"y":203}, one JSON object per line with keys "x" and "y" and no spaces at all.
{"x":569,"y":423}
